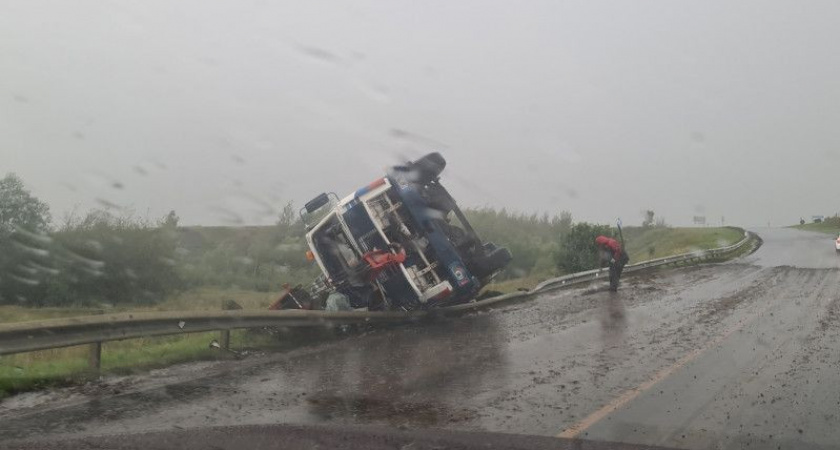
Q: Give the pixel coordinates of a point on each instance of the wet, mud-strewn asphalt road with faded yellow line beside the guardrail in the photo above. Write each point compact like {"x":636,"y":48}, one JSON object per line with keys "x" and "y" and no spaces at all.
{"x":742,"y":354}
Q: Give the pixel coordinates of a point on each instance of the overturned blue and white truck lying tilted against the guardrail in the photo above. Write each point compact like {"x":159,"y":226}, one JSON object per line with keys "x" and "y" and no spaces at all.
{"x":400,"y":242}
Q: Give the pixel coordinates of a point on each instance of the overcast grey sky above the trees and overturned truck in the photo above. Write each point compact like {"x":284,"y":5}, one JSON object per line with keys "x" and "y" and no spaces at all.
{"x":224,"y":110}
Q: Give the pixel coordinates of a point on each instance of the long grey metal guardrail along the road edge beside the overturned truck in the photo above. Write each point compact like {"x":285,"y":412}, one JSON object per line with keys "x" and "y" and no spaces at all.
{"x":94,"y":330}
